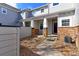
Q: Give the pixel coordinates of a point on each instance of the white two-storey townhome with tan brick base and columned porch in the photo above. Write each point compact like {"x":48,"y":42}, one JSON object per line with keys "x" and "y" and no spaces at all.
{"x":60,"y":19}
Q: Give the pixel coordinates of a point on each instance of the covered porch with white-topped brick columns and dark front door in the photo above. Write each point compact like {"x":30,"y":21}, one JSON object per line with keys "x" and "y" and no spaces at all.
{"x":45,"y":27}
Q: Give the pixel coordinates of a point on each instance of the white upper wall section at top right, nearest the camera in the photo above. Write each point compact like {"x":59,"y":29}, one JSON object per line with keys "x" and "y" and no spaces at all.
{"x":61,"y":7}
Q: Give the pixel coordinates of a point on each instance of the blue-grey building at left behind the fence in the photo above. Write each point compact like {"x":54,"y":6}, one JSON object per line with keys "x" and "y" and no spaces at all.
{"x":9,"y":15}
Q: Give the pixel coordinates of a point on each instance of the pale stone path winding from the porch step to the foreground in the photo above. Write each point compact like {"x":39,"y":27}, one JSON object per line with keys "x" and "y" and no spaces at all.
{"x":45,"y":48}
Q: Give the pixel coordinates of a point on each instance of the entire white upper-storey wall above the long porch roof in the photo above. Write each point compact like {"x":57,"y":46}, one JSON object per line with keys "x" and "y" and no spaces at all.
{"x":53,"y":9}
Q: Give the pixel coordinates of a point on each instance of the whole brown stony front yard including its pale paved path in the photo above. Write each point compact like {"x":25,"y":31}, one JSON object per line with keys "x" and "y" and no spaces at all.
{"x":49,"y":46}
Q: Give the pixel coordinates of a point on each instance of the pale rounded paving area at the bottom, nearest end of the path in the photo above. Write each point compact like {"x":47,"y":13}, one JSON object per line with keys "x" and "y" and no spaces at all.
{"x":48,"y":52}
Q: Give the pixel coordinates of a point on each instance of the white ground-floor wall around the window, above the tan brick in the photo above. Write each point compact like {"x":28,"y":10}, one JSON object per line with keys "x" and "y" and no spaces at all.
{"x":67,"y":15}
